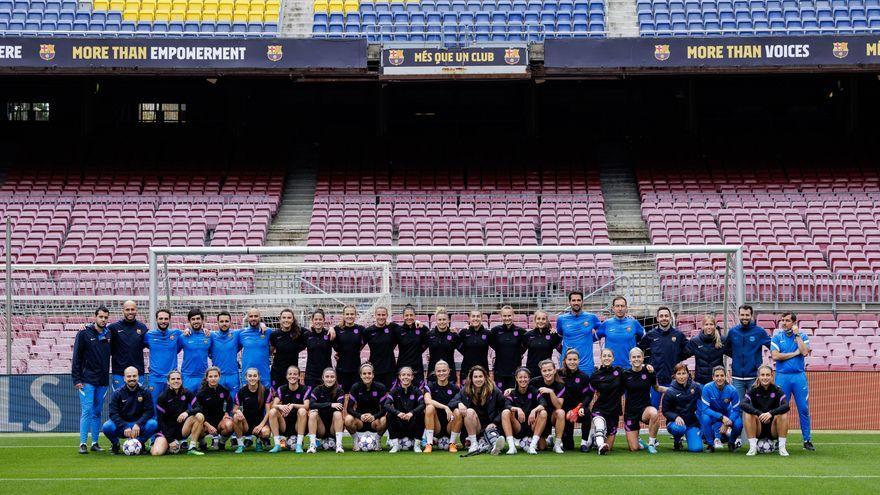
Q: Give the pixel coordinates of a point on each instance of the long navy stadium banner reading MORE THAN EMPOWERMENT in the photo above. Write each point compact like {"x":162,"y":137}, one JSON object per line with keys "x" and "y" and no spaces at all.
{"x":110,"y":53}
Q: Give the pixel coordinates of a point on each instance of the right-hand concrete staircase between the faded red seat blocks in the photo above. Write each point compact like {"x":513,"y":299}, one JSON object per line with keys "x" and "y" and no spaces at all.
{"x":626,"y":228}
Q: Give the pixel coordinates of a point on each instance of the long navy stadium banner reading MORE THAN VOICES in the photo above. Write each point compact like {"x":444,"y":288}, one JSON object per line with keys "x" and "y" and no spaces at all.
{"x":708,"y":53}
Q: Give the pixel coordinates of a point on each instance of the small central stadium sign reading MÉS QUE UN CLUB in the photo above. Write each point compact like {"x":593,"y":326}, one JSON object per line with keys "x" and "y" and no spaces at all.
{"x":454,"y":61}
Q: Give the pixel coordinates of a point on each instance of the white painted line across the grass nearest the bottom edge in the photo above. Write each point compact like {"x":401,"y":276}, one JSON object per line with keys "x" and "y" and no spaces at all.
{"x":455,"y":477}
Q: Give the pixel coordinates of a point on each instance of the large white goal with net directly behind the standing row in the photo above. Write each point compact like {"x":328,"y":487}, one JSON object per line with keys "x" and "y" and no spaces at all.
{"x":456,"y":277}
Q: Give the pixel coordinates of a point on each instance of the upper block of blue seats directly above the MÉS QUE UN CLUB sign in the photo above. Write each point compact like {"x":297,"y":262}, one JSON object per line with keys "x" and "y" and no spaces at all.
{"x":459,"y":21}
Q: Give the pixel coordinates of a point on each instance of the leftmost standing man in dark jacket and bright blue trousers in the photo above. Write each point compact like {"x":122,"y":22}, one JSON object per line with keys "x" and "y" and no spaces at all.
{"x":90,"y":370}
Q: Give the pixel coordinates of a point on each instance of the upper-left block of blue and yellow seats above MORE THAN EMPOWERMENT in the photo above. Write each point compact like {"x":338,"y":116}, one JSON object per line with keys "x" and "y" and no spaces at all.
{"x":126,"y":18}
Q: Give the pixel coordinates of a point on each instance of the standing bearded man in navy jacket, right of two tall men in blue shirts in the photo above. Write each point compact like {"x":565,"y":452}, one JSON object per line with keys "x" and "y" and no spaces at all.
{"x":664,"y":347}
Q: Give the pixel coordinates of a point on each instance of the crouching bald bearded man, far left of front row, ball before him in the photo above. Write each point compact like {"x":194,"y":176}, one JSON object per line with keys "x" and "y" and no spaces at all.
{"x":131,"y":413}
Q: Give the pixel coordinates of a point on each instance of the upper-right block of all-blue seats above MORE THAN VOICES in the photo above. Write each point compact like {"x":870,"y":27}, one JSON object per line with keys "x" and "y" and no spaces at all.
{"x":756,"y":17}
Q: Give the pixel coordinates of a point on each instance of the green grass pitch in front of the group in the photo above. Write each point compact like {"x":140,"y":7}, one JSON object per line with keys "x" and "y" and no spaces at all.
{"x":843,"y":463}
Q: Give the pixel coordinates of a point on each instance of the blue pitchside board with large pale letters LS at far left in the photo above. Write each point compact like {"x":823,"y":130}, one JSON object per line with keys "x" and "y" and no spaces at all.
{"x":39,"y":403}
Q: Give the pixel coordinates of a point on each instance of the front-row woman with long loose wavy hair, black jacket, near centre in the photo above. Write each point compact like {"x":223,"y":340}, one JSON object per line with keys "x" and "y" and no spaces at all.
{"x":481,"y":403}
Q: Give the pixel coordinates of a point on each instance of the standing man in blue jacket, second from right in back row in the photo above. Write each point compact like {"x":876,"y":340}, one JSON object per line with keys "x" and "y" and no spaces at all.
{"x":743,"y":345}
